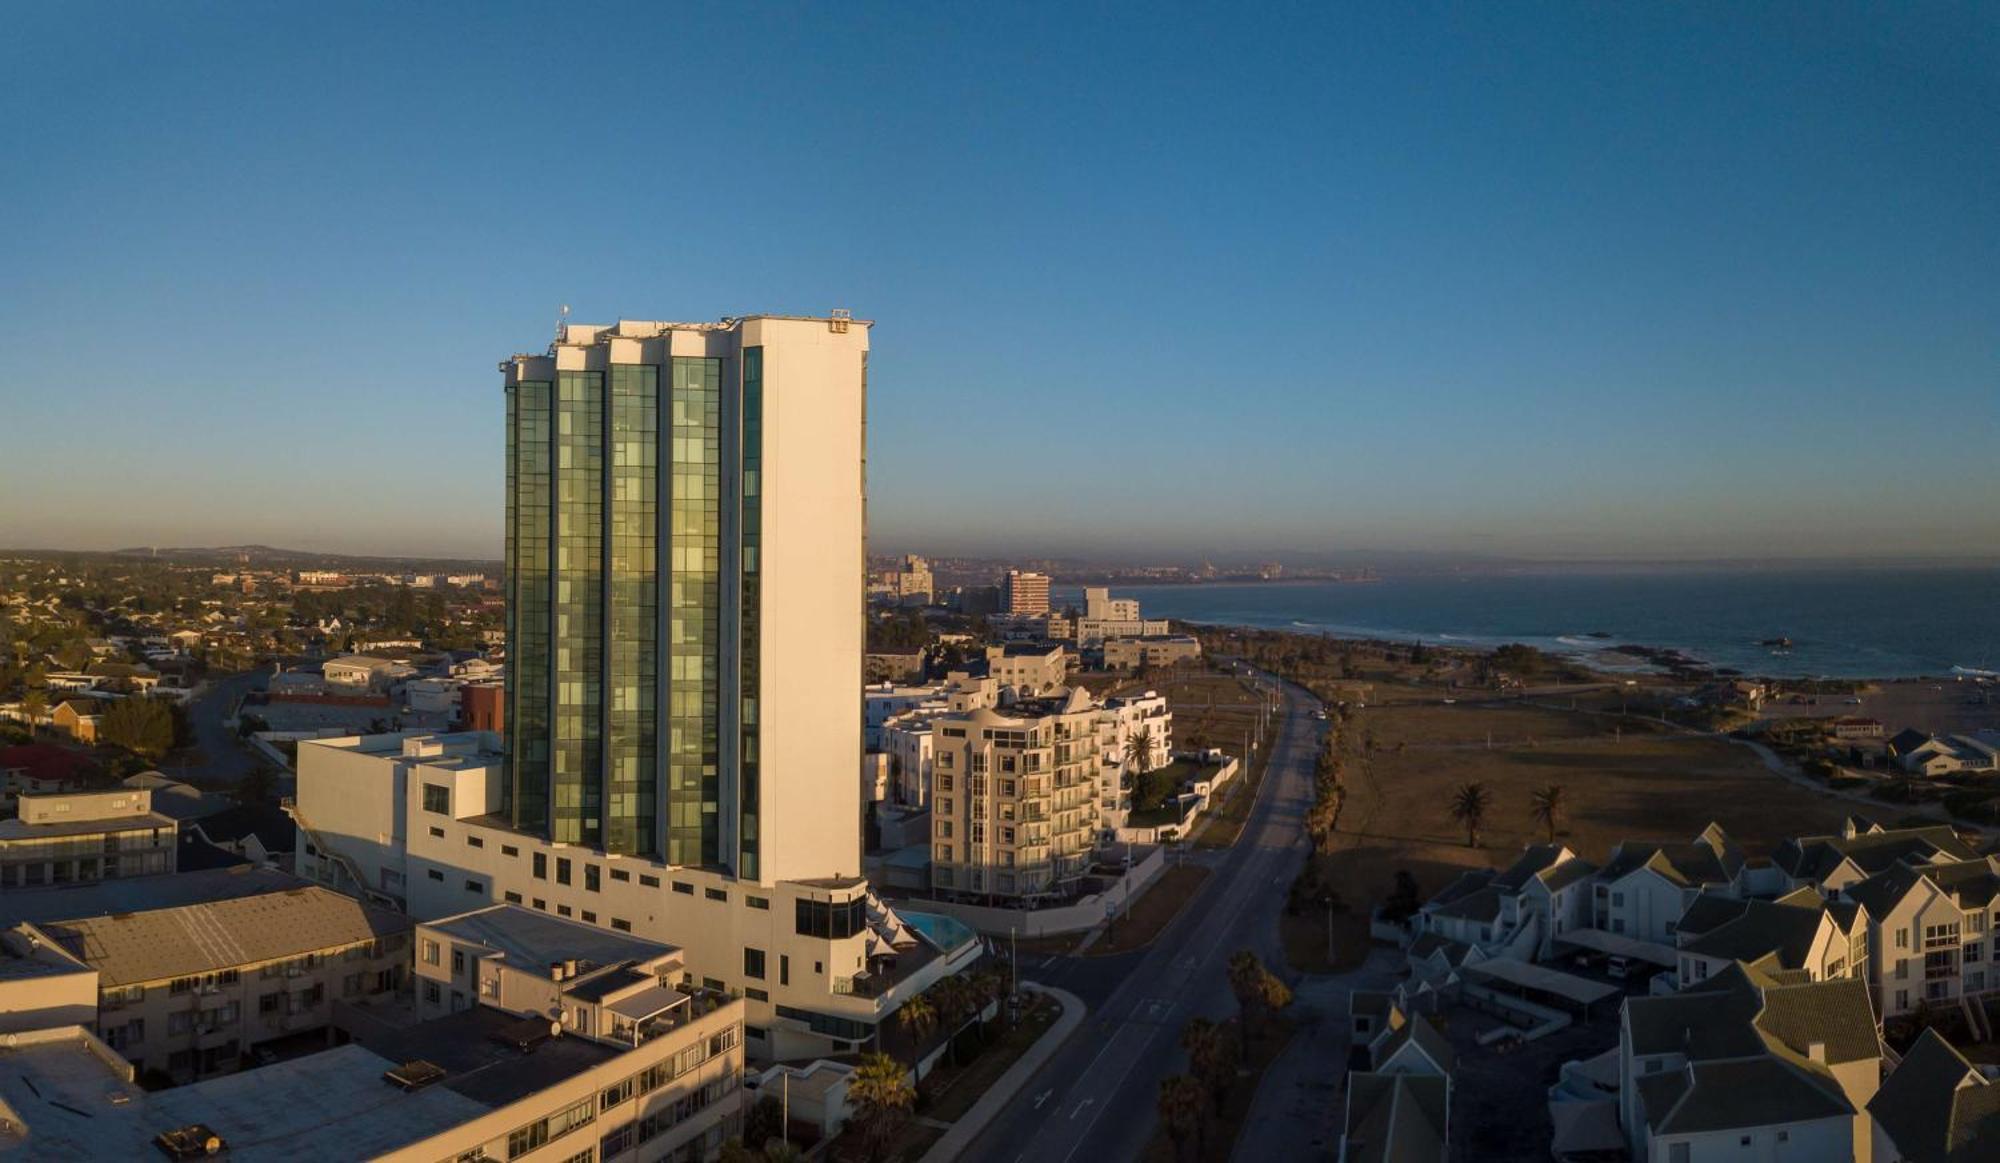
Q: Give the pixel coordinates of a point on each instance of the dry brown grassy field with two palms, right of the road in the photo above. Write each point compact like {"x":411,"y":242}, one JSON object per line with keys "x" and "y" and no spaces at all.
{"x":1623,"y":780}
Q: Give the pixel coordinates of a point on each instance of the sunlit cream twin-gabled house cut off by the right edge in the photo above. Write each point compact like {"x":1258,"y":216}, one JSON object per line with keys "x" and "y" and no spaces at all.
{"x":1931,"y":932}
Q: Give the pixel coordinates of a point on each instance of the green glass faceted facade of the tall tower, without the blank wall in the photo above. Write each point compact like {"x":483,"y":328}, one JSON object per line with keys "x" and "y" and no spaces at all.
{"x":623,"y":582}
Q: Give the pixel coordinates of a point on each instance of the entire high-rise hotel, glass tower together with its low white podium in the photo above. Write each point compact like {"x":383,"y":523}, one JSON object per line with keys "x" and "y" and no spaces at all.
{"x":685,"y":521}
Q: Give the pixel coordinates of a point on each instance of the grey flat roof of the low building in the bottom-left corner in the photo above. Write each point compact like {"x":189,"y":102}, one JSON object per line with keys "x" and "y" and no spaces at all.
{"x":331,"y":1106}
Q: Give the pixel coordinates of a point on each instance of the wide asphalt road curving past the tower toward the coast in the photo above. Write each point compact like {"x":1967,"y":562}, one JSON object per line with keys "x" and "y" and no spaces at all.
{"x":1097,"y":1096}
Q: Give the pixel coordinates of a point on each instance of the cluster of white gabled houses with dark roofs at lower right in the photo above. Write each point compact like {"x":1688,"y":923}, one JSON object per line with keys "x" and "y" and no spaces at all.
{"x":1761,"y":990}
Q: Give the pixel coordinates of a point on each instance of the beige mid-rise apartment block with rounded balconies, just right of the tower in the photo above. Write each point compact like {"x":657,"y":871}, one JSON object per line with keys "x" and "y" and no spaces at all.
{"x":1015,"y":802}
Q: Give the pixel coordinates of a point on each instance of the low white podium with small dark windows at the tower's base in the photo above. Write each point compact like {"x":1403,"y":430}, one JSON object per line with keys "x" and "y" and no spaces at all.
{"x":415,"y":820}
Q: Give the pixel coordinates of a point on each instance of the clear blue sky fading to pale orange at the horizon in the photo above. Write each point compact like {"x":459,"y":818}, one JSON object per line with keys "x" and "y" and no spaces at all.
{"x":1643,"y":279}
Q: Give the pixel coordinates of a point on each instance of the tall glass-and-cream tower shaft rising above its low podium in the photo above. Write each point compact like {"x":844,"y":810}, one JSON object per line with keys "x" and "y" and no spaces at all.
{"x":685,"y":592}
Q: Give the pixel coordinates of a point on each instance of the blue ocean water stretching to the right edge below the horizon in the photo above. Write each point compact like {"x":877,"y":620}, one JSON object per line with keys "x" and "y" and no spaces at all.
{"x":1841,"y":622}
